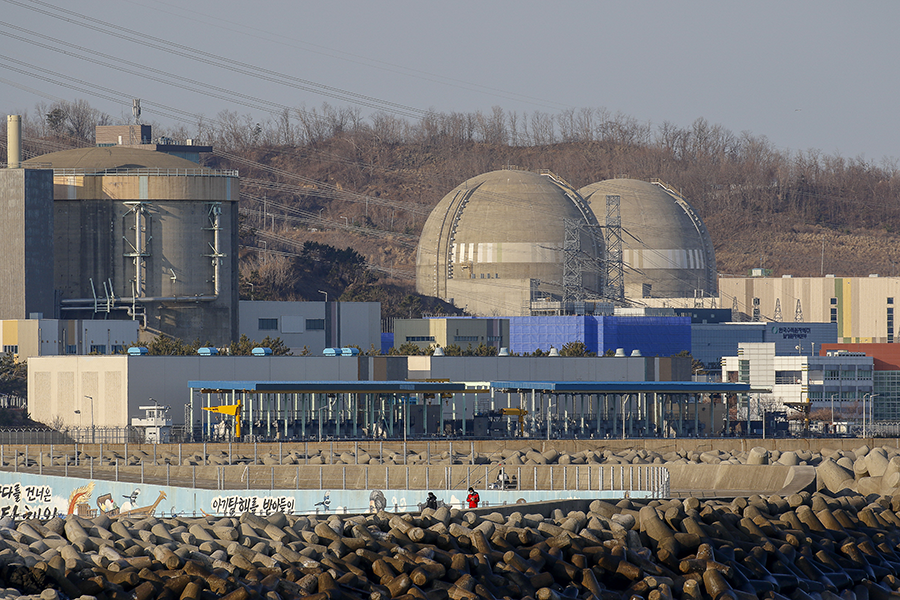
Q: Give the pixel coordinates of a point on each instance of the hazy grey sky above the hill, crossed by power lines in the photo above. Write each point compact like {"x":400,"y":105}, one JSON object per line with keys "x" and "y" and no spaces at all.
{"x":819,"y":75}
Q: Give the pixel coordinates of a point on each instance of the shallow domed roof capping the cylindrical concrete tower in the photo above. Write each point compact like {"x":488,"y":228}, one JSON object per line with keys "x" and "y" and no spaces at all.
{"x":112,"y":157}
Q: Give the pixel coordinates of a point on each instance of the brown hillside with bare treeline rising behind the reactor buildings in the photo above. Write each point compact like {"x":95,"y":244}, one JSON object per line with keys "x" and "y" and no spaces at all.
{"x":340,"y":181}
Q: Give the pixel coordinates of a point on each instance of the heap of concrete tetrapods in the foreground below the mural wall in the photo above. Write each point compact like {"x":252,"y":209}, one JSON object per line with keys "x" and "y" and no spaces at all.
{"x":818,"y":545}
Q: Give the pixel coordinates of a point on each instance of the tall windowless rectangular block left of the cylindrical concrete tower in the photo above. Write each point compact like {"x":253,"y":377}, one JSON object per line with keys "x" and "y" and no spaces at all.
{"x":26,"y":237}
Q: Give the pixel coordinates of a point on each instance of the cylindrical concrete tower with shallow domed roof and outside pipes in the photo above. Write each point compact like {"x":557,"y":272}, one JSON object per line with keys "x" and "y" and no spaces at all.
{"x":146,"y":235}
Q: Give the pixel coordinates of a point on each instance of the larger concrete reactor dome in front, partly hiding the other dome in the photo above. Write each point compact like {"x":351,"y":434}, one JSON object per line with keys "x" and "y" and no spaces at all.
{"x":497,"y":242}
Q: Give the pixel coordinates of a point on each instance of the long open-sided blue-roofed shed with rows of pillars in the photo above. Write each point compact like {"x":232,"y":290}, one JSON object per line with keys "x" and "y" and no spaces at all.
{"x":403,"y":408}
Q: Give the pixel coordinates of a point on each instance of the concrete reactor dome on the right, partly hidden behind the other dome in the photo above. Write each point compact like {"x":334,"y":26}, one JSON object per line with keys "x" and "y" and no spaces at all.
{"x":667,"y":250}
